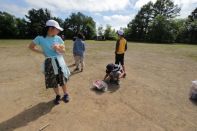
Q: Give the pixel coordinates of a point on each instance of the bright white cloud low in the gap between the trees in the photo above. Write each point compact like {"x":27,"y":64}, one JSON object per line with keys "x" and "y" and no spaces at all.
{"x":117,"y":21}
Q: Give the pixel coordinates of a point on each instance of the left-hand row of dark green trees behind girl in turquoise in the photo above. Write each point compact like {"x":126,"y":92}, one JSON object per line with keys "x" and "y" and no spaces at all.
{"x":33,"y":23}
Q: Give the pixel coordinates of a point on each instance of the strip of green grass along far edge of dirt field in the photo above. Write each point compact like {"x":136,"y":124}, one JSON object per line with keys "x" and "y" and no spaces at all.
{"x":175,"y":50}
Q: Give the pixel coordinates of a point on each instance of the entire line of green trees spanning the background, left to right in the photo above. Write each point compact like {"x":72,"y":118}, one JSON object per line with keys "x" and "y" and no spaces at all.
{"x":156,"y":22}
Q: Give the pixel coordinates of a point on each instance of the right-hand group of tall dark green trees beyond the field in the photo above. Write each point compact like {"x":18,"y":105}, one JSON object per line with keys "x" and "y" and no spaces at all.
{"x":158,"y":23}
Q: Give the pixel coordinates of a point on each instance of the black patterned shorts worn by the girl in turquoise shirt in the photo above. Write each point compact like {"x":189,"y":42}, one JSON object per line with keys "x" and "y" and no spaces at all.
{"x":52,"y":80}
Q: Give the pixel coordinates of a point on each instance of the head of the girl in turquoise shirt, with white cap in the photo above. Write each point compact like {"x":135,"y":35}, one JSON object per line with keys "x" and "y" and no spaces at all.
{"x":52,"y":28}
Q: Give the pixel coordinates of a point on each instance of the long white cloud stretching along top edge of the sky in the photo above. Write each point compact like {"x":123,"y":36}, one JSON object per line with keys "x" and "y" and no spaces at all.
{"x":80,"y":5}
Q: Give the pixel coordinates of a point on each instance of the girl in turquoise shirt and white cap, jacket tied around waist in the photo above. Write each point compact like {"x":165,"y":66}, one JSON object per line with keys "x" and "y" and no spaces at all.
{"x":55,"y":69}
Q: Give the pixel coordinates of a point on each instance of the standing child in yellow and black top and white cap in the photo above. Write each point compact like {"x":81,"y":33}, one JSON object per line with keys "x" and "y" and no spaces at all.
{"x":121,"y":47}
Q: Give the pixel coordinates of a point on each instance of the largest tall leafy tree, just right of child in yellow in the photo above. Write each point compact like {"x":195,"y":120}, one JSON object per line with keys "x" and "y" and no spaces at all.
{"x":154,"y":22}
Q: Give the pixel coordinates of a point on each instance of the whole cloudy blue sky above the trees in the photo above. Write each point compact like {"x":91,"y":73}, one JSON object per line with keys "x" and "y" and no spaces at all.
{"x":116,"y":13}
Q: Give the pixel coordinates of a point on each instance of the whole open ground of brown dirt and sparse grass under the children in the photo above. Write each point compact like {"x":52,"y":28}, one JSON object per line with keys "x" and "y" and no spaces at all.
{"x":153,"y":96}
